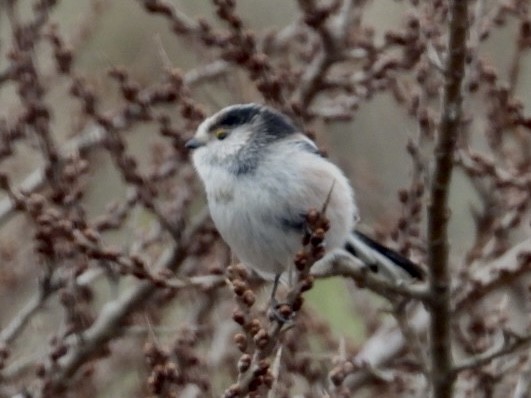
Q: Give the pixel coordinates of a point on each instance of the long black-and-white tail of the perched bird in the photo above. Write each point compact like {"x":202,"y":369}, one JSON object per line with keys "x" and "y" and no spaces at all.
{"x":381,"y":259}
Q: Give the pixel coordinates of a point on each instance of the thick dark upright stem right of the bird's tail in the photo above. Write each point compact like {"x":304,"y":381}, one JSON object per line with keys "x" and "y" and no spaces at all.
{"x":442,"y":377}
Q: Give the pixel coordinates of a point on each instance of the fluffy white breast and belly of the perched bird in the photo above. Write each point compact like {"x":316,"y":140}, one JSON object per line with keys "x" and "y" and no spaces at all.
{"x":249,"y":209}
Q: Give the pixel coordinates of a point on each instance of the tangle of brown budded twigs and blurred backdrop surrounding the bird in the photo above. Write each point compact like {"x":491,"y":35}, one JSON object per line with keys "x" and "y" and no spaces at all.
{"x":113,"y":281}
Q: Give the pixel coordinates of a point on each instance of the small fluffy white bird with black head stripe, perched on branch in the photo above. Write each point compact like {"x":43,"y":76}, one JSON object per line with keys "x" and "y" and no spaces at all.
{"x":261,"y":176}
